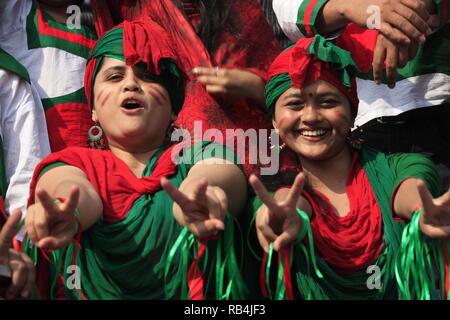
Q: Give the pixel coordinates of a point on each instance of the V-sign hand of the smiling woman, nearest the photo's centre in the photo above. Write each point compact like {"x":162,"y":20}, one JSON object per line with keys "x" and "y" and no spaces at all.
{"x":278,"y":222}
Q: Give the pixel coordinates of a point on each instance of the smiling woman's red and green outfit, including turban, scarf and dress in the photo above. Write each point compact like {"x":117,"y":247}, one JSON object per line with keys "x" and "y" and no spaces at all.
{"x":334,"y":257}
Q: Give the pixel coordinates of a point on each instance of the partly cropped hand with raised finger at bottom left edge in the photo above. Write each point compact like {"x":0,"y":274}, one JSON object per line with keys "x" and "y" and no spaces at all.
{"x":21,"y":268}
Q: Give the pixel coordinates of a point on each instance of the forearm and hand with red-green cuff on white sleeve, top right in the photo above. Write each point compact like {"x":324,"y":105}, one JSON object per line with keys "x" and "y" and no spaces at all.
{"x":400,"y":20}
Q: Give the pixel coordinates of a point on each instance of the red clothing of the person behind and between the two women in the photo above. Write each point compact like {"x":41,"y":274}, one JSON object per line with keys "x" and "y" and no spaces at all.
{"x":244,"y":41}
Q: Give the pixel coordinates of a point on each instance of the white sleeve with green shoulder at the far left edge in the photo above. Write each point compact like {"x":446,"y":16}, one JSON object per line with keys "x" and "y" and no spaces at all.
{"x":23,"y":136}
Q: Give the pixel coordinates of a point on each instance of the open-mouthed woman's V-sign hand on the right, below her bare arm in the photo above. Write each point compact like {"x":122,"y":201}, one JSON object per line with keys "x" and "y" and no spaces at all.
{"x":201,"y":208}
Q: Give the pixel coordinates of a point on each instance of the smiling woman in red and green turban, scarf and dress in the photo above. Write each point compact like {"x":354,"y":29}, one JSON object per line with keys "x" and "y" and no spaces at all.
{"x":350,"y":203}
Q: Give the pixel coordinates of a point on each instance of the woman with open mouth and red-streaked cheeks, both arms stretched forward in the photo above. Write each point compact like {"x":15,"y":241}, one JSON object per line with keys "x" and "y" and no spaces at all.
{"x":104,"y":215}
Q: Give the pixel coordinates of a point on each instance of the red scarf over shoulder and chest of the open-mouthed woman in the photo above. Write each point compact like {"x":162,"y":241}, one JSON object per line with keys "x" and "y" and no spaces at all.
{"x":117,"y":186}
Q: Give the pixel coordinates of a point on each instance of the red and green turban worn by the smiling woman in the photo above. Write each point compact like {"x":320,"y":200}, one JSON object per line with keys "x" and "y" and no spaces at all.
{"x":306,"y":62}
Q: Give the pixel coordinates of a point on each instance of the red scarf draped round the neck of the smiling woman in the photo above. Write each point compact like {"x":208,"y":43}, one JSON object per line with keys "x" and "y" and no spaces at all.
{"x":353,"y":242}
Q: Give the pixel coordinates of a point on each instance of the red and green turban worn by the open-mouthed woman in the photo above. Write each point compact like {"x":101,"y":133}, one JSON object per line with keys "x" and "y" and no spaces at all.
{"x":141,"y":42}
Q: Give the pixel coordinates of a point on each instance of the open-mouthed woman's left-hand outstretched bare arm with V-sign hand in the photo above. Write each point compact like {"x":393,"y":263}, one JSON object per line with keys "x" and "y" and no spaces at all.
{"x":51,"y":224}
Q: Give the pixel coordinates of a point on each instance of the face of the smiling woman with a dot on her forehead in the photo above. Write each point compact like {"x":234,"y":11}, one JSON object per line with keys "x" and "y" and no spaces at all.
{"x":314,"y":121}
